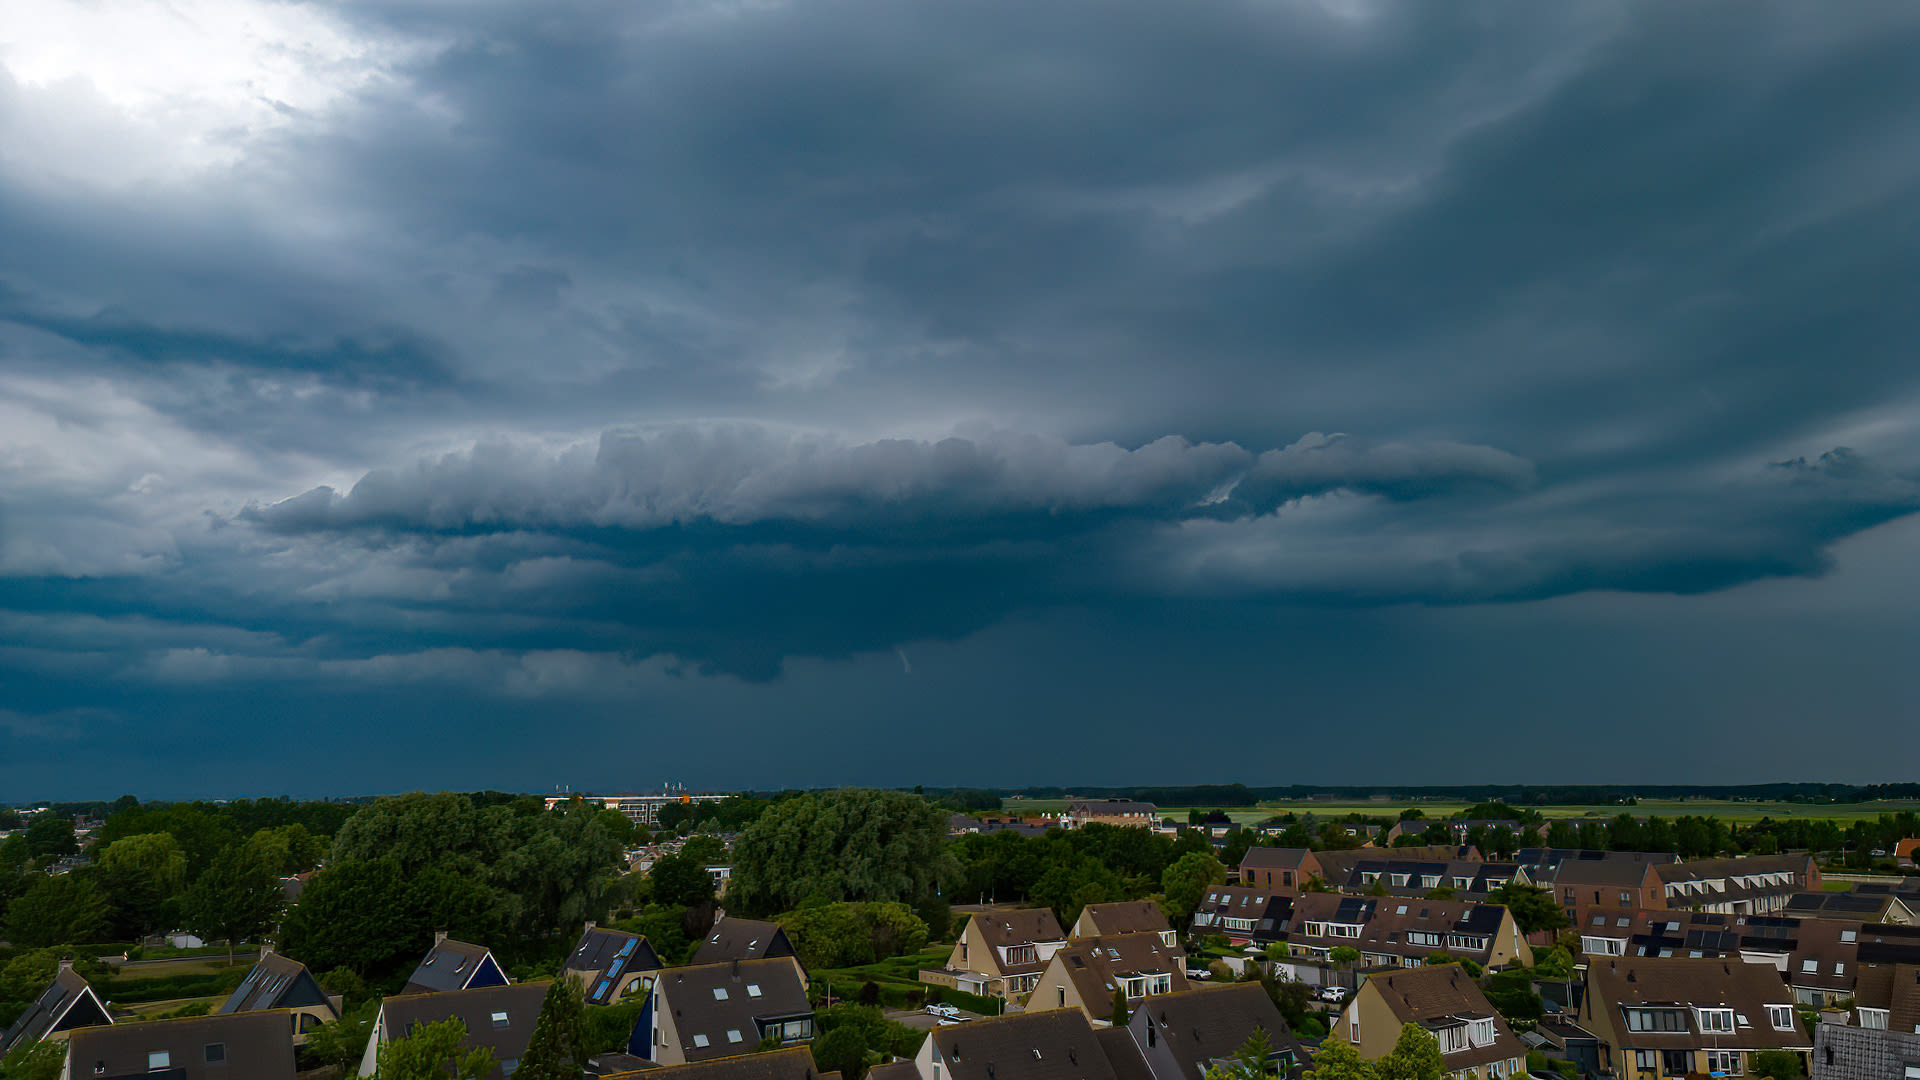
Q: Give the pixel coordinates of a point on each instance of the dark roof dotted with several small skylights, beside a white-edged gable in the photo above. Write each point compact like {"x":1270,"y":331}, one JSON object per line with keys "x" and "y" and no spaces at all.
{"x":729,"y":1002}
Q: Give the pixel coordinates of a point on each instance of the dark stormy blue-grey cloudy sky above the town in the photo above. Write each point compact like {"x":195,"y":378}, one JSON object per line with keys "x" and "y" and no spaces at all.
{"x":412,"y":395}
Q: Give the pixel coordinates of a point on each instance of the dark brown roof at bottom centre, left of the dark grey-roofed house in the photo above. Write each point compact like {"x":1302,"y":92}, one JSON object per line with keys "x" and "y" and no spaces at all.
{"x":1024,"y":1046}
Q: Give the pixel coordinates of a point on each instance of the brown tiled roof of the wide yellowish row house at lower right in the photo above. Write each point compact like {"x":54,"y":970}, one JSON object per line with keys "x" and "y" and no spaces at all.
{"x":1729,"y":983}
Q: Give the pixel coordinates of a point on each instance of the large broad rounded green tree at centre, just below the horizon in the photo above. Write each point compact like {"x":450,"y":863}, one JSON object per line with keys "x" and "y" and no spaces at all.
{"x":848,"y":845}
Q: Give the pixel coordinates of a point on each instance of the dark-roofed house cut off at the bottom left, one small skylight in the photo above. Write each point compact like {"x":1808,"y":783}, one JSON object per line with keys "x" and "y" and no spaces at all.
{"x":254,"y":1046}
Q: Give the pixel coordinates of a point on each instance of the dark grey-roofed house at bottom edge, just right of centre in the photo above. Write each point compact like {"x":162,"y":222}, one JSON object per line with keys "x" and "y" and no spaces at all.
{"x":1184,"y":1035}
